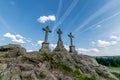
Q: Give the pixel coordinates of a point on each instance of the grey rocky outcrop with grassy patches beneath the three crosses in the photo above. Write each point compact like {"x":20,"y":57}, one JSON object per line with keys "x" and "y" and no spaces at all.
{"x":22,"y":65}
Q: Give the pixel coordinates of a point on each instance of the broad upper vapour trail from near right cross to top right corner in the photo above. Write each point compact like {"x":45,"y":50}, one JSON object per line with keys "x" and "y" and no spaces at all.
{"x":103,"y":9}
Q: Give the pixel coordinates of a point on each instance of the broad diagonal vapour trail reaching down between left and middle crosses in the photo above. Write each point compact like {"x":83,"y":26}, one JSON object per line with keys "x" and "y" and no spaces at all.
{"x":65,"y":15}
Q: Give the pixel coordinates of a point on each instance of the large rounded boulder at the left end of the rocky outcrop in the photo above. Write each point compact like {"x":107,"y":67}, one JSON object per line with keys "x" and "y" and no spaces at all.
{"x":11,"y":50}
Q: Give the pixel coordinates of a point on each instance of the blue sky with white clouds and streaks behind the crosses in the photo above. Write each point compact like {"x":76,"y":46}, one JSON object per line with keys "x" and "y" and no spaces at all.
{"x":94,"y":23}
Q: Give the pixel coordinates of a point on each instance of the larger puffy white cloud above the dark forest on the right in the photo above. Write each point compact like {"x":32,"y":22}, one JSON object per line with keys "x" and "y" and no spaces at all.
{"x":102,"y":43}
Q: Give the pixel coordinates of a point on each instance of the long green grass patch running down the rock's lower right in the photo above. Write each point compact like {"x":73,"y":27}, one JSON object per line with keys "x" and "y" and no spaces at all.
{"x":77,"y":75}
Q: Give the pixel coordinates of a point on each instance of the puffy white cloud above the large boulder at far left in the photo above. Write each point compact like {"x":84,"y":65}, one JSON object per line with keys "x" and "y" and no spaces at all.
{"x":15,"y":38}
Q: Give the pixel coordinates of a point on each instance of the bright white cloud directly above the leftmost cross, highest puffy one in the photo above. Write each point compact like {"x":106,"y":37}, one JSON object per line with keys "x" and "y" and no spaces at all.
{"x":43,"y":19}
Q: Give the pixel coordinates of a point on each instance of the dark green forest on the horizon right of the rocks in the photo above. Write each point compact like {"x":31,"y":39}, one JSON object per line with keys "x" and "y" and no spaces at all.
{"x":110,"y":61}
